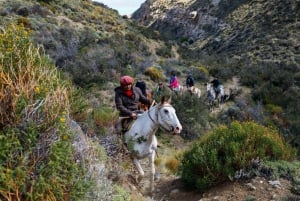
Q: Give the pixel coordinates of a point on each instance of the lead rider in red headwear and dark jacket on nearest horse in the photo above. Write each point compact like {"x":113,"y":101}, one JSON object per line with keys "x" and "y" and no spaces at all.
{"x":127,"y":98}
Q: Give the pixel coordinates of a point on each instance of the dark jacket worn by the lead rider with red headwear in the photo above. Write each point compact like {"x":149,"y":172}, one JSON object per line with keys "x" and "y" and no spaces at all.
{"x":126,"y":105}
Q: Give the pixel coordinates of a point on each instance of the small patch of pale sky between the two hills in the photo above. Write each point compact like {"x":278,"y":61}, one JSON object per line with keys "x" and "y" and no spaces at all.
{"x":124,"y":7}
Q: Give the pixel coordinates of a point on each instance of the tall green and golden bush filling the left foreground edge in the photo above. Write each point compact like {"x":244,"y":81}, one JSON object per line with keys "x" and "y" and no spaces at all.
{"x":37,"y":158}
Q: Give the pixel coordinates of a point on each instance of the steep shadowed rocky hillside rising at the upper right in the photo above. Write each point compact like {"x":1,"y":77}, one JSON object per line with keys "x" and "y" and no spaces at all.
{"x":256,"y":40}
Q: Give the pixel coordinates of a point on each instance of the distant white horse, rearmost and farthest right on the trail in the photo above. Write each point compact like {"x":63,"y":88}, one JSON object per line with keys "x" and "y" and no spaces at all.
{"x":213,"y":97}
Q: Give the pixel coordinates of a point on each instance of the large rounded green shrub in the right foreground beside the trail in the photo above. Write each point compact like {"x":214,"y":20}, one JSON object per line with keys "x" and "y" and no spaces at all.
{"x":219,"y":154}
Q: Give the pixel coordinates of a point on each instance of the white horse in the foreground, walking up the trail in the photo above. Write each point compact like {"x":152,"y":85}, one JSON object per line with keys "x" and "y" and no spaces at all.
{"x":141,"y":140}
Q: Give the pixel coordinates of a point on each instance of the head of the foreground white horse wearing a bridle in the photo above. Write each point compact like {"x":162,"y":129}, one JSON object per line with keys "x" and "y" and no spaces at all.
{"x":166,"y":116}
